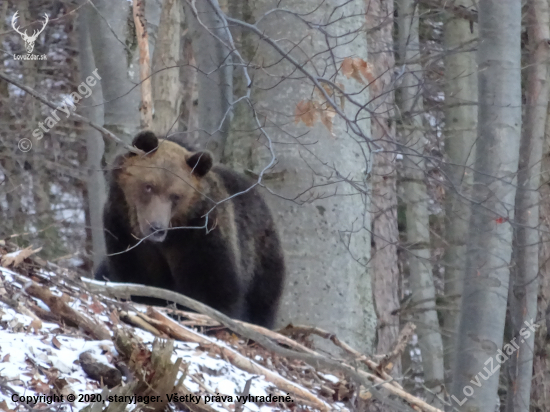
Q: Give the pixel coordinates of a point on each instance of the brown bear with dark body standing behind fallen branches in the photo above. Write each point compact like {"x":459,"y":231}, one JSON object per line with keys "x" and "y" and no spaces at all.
{"x":171,"y":221}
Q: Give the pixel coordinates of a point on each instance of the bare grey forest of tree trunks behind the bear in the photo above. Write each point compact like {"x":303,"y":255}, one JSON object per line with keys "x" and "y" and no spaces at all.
{"x":401,"y":144}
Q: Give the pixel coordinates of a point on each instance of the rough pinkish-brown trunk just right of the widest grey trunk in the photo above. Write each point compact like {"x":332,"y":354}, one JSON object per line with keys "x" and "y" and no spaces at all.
{"x":385,"y":236}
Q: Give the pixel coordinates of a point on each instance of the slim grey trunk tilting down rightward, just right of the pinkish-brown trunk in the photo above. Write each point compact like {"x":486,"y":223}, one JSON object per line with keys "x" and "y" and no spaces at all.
{"x":416,"y":200}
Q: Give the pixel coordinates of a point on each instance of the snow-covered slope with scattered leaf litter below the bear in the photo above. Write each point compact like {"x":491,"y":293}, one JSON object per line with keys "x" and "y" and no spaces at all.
{"x":38,"y":357}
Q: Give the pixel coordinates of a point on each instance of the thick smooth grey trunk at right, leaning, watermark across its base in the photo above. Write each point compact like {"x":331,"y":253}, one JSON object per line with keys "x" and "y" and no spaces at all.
{"x":483,"y":306}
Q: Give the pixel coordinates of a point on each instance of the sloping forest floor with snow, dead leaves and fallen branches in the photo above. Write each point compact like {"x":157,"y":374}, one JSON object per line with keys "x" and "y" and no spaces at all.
{"x":63,"y":347}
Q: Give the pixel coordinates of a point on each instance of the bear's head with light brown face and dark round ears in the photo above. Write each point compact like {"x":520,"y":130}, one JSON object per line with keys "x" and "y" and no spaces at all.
{"x":161,"y":184}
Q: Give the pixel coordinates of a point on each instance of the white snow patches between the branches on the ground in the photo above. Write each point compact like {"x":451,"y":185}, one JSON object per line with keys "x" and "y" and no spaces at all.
{"x":30,"y":355}
